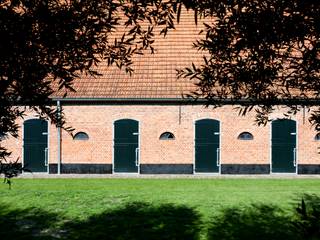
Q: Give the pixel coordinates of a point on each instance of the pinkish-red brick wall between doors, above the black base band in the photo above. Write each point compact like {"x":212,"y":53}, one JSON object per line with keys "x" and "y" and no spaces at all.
{"x":97,"y":122}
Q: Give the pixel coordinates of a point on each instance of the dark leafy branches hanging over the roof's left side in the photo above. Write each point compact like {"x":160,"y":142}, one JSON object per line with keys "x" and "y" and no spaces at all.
{"x":45,"y":45}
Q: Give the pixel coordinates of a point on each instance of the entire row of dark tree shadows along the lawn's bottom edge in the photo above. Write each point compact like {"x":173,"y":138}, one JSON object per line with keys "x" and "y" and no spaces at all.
{"x":166,"y":222}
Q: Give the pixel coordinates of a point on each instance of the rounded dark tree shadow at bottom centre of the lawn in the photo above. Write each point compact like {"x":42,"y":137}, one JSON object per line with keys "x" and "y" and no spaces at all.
{"x":140,"y":221}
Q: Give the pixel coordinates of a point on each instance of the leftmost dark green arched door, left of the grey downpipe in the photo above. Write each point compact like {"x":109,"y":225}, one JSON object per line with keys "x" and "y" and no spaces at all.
{"x":35,"y":145}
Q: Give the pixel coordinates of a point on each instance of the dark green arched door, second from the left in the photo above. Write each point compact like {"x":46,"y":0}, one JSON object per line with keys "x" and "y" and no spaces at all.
{"x":126,"y":146}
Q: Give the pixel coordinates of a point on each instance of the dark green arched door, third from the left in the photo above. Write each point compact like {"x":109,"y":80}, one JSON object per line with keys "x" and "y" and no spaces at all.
{"x":207,"y":145}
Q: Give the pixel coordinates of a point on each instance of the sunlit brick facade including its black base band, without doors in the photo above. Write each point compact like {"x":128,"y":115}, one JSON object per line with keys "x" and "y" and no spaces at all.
{"x":96,"y":155}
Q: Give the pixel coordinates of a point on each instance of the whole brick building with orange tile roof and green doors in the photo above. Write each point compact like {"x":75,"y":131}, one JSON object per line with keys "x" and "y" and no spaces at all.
{"x":142,"y":124}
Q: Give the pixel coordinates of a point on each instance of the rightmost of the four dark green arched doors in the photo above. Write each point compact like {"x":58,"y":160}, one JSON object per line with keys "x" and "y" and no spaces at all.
{"x":283,"y":144}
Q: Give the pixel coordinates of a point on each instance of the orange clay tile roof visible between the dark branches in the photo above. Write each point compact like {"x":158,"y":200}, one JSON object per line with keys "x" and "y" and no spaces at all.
{"x":154,"y":75}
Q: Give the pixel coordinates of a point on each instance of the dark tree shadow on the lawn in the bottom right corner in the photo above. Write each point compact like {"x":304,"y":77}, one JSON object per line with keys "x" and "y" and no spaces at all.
{"x":266,"y":222}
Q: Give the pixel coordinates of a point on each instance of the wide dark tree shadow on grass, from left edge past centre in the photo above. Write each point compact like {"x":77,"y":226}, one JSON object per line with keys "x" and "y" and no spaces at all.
{"x":133,"y":221}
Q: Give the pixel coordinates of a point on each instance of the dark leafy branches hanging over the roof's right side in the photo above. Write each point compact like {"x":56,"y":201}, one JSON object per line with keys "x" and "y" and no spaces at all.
{"x":260,"y":54}
